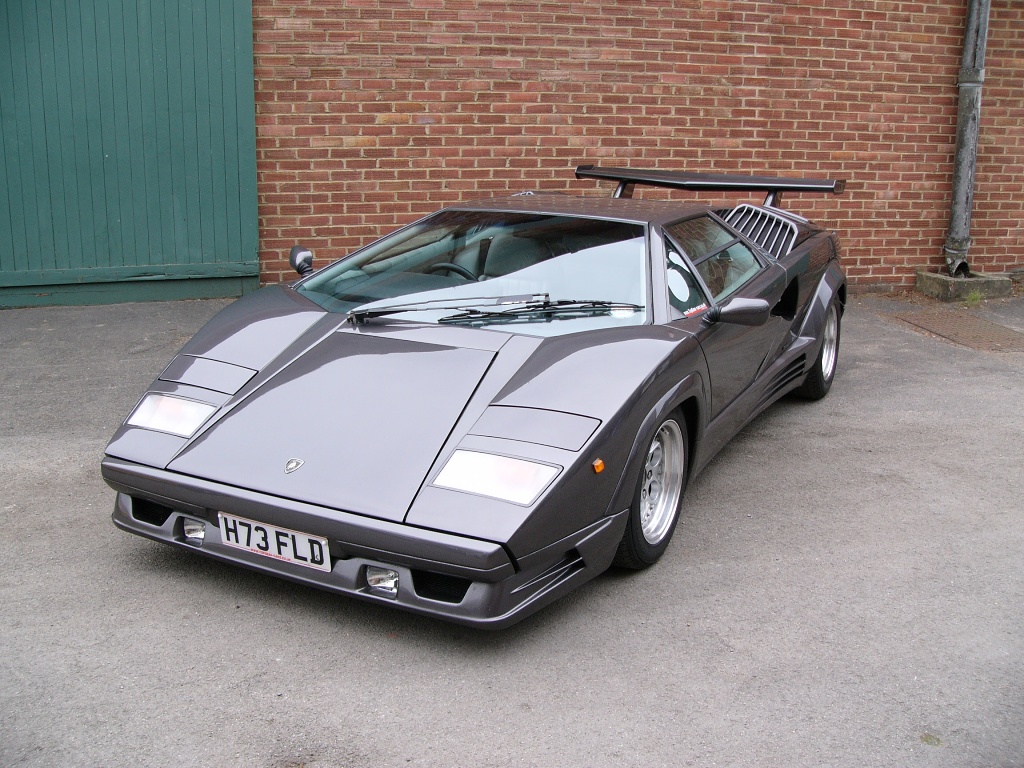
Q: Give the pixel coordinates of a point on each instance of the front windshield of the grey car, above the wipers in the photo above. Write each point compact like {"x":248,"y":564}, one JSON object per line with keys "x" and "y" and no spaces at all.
{"x":560,"y":274}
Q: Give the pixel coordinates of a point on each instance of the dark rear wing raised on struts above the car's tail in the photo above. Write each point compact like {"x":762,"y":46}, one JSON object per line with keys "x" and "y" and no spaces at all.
{"x":775,"y":186}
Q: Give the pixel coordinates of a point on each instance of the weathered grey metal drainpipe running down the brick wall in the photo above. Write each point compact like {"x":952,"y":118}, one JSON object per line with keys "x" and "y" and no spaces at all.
{"x":972,"y":75}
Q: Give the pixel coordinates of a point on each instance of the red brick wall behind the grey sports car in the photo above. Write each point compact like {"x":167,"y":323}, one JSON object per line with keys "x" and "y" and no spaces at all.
{"x":372,"y":113}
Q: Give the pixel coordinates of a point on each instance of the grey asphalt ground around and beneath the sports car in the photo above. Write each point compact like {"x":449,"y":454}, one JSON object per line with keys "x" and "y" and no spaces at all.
{"x":845,"y":589}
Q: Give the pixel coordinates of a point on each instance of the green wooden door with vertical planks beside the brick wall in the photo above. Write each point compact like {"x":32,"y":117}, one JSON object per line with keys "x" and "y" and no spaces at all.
{"x":127,"y":151}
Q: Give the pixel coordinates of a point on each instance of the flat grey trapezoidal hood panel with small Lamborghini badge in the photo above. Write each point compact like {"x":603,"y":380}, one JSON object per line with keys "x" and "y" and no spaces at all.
{"x":366,"y":416}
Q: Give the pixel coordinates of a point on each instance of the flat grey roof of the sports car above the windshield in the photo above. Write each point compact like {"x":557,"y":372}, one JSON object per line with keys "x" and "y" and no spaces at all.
{"x":621,"y":209}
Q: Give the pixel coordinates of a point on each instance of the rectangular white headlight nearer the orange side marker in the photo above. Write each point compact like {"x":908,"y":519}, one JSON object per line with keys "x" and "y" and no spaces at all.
{"x":515,"y":481}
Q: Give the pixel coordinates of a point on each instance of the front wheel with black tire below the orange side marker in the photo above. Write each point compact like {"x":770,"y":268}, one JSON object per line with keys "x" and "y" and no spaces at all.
{"x":658,"y":498}
